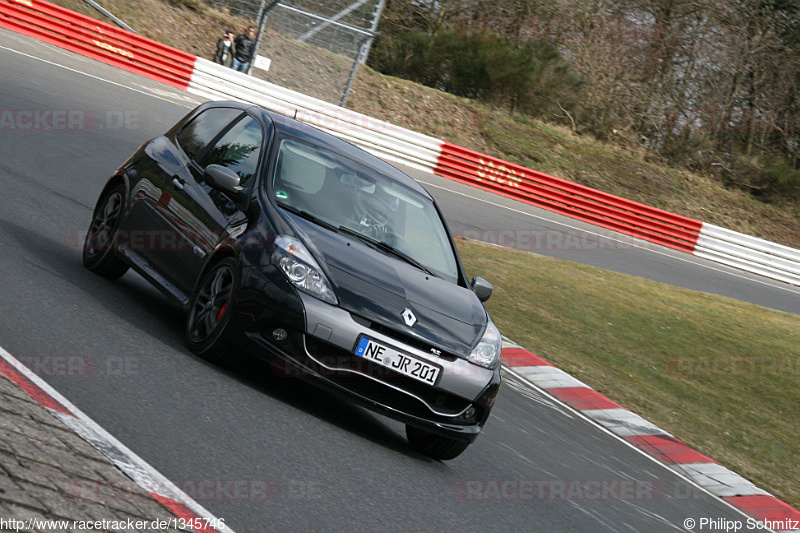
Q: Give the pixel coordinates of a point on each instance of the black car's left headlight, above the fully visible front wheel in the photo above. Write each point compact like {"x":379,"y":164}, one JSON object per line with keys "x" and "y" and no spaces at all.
{"x":297,"y":263}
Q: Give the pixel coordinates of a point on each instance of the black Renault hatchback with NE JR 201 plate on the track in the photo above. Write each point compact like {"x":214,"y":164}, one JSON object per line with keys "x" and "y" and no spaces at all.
{"x":284,"y":242}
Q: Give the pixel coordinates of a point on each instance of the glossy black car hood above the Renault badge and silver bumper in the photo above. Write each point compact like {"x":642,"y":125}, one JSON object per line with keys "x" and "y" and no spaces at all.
{"x":380,"y":287}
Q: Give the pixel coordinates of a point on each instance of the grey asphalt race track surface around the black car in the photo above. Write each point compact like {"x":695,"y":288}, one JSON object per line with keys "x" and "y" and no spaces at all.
{"x":282,"y":454}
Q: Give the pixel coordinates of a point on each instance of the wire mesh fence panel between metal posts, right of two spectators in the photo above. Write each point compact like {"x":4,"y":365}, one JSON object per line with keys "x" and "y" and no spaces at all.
{"x":314,"y":47}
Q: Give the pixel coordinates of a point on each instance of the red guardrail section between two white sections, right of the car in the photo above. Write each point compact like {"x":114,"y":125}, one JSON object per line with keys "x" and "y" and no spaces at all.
{"x":568,"y":198}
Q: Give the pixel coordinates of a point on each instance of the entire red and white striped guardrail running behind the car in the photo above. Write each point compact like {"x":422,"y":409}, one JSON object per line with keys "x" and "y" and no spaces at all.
{"x":132,"y":52}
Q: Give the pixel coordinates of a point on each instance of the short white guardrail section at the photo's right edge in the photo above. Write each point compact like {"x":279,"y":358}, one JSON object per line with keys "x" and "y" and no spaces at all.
{"x":749,"y":253}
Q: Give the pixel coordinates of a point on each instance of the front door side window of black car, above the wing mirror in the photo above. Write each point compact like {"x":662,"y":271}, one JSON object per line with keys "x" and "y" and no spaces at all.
{"x":238,"y":149}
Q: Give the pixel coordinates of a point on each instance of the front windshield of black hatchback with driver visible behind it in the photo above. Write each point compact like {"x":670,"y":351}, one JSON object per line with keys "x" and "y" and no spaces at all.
{"x":348,"y":197}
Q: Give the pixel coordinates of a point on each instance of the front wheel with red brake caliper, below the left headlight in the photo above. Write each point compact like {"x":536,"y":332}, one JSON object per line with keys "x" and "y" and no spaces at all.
{"x":210,"y":309}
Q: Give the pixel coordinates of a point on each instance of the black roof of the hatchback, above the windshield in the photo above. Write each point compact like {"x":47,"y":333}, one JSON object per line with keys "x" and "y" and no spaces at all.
{"x":295,"y":128}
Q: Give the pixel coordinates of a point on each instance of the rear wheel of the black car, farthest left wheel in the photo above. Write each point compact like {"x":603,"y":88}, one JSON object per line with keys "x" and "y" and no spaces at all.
{"x":99,"y":254}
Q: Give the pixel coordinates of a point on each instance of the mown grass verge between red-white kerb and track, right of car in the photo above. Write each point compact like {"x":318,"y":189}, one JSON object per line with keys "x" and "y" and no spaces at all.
{"x":720,"y":374}
